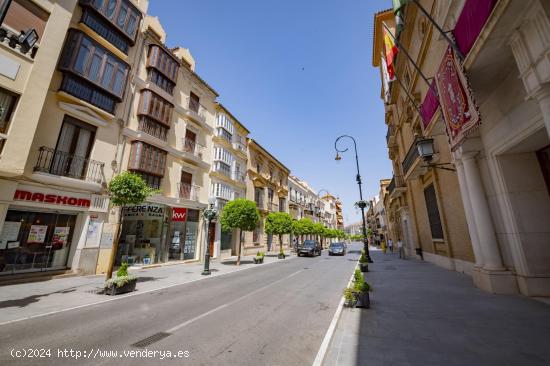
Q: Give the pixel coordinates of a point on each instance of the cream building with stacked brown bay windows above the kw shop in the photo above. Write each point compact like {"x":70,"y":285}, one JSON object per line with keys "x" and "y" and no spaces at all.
{"x":167,"y":140}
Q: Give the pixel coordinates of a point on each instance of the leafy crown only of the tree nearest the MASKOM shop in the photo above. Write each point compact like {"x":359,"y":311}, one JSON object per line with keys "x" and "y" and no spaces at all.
{"x":128,"y":189}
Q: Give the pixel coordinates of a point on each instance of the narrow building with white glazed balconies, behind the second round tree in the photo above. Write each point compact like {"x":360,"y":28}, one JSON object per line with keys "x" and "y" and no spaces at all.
{"x":227,"y":174}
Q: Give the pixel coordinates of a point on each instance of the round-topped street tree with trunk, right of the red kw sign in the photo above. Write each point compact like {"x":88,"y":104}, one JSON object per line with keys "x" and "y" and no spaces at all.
{"x":240,"y":214}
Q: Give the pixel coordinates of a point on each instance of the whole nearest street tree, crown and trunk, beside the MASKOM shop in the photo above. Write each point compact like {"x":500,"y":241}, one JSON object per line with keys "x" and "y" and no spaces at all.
{"x":125,"y":189}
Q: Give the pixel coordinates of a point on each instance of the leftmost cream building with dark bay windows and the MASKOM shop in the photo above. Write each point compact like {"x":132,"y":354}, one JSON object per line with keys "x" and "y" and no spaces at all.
{"x":63,"y":84}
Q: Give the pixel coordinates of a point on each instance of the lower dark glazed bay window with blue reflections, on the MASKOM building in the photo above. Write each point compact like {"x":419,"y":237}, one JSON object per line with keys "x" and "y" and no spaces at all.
{"x":84,"y":57}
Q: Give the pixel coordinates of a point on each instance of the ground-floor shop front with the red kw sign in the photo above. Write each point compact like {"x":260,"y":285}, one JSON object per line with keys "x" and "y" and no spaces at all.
{"x":156,"y":233}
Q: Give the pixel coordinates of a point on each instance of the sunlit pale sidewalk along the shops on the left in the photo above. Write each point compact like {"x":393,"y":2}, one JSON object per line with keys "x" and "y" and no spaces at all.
{"x":32,"y":299}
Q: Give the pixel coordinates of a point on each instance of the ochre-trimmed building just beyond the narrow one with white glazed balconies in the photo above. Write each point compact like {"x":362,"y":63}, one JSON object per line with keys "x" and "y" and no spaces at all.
{"x":267,"y":185}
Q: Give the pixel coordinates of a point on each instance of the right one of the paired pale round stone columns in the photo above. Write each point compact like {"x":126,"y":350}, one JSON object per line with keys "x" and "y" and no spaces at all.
{"x":481,"y":214}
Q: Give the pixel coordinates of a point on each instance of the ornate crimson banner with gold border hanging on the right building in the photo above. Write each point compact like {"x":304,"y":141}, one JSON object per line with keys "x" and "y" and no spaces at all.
{"x":457,"y":103}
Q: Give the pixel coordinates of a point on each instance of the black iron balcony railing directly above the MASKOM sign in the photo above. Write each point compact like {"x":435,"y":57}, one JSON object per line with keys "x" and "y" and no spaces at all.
{"x":69,"y":165}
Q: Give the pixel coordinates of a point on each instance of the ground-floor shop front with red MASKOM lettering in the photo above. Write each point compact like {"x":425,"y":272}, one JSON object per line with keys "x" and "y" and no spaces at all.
{"x":41,"y":229}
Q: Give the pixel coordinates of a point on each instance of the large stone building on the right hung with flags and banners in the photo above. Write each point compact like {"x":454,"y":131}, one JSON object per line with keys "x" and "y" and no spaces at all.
{"x":490,"y":217}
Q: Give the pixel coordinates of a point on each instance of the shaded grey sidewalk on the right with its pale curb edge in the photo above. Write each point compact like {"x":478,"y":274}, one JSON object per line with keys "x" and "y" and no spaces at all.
{"x":425,"y":315}
